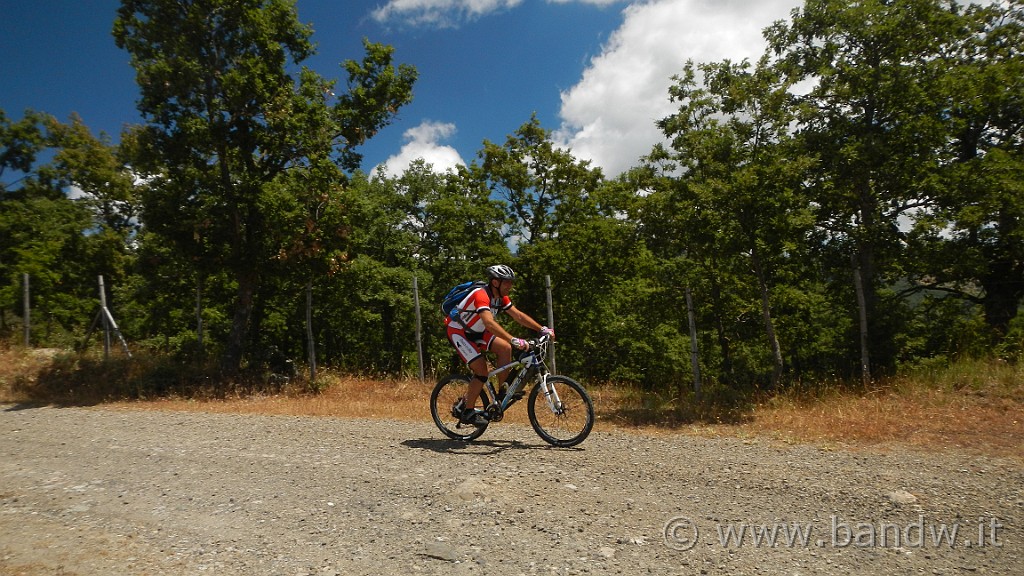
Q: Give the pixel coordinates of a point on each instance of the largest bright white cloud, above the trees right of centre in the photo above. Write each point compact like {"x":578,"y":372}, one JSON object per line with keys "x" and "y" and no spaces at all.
{"x":609,"y":117}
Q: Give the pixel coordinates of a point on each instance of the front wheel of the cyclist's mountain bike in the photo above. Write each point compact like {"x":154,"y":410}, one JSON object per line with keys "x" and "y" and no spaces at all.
{"x":567,"y":422}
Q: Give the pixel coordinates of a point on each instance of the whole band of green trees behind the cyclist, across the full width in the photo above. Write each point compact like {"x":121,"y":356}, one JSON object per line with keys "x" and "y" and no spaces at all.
{"x":874,"y":141}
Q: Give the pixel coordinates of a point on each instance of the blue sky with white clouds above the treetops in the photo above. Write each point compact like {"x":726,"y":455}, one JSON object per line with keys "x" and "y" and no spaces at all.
{"x":595,"y":72}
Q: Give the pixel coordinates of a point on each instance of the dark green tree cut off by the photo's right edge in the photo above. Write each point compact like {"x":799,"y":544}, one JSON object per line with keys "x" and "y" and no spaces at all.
{"x":971,"y":240}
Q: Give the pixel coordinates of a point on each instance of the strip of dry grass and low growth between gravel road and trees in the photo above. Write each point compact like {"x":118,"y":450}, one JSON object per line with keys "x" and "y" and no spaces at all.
{"x":976,"y":405}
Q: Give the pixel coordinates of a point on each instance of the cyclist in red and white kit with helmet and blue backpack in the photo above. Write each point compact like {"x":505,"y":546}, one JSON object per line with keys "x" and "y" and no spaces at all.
{"x":476,"y":332}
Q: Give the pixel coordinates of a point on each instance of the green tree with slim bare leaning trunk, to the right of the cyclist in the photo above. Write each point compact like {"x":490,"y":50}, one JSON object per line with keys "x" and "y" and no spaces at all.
{"x":734,"y":139}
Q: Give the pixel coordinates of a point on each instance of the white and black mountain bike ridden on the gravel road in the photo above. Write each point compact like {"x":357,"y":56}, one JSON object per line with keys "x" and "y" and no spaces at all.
{"x":560,"y":408}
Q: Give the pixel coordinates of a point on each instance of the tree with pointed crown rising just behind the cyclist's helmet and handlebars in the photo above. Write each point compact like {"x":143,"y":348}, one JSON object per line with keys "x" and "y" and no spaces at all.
{"x":552,"y":215}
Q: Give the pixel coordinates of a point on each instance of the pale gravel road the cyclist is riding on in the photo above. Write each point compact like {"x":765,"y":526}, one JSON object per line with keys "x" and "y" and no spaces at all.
{"x":109,"y":491}
